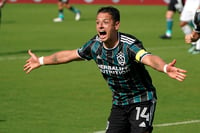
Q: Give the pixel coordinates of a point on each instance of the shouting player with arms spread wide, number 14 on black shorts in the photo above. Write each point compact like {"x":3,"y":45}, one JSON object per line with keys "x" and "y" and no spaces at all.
{"x":121,"y":59}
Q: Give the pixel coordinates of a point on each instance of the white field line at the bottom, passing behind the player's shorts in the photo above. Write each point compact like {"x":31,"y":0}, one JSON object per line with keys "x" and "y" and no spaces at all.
{"x":168,"y":124}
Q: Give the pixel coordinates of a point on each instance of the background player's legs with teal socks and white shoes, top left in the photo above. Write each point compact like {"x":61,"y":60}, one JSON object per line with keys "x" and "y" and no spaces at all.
{"x":61,"y":5}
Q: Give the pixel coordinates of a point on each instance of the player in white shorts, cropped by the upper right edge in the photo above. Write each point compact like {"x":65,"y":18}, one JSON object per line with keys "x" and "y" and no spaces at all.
{"x":186,"y":19}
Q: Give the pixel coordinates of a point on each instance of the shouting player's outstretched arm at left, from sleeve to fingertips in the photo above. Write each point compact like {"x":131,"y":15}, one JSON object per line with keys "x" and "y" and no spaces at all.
{"x":57,"y":58}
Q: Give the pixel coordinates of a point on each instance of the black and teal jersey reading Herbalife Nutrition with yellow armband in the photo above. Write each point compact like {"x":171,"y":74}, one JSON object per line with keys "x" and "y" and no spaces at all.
{"x":121,"y":67}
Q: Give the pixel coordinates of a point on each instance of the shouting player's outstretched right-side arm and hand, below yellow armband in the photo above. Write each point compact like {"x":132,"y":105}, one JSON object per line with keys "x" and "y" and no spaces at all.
{"x":158,"y":64}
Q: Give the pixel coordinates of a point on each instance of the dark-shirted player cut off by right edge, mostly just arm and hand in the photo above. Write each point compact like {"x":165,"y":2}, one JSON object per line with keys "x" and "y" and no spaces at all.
{"x":195,"y":35}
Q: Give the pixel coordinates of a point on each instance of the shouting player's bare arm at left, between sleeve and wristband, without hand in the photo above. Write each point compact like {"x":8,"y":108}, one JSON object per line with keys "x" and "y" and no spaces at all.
{"x":60,"y":57}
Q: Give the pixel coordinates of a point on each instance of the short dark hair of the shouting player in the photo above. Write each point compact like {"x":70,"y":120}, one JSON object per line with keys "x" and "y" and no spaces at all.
{"x":114,"y":12}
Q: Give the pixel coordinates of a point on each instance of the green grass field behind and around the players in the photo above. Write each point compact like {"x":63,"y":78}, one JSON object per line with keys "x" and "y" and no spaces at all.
{"x":74,"y":98}
